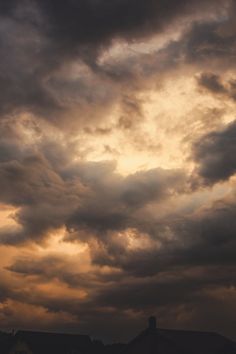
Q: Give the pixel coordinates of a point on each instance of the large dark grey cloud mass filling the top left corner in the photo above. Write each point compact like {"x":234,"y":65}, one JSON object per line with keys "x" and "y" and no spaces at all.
{"x":38,"y":38}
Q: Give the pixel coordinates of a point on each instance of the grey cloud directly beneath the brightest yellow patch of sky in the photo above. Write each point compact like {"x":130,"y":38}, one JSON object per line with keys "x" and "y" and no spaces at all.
{"x":114,"y":201}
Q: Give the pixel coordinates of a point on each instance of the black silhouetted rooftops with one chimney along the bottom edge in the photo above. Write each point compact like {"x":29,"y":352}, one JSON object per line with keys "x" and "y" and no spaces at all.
{"x":150,"y":341}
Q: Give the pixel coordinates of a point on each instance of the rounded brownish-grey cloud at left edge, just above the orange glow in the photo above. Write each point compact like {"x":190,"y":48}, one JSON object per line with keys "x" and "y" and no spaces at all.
{"x":43,"y":196}
